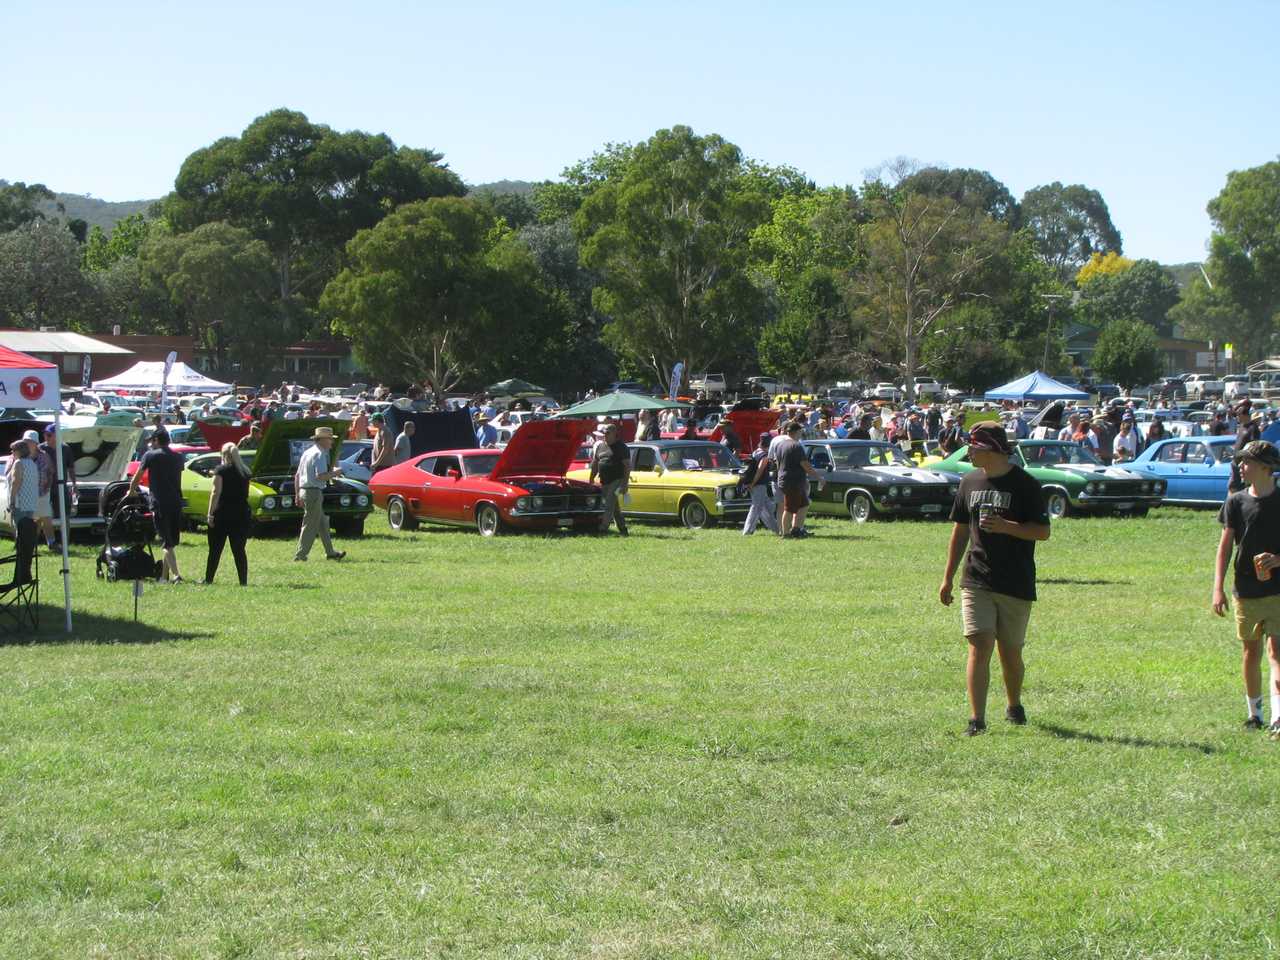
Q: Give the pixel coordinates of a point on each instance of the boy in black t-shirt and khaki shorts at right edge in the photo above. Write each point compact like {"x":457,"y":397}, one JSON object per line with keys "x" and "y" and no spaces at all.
{"x":1251,"y":520}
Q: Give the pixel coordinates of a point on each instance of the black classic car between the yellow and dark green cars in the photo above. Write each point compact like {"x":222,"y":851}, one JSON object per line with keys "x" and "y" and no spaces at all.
{"x":872,"y":478}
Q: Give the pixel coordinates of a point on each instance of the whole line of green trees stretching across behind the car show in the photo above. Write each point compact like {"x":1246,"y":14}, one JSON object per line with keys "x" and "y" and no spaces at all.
{"x":678,"y":248}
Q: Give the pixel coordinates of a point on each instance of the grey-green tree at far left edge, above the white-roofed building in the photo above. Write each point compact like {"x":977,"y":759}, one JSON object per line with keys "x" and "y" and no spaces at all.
{"x":40,"y":278}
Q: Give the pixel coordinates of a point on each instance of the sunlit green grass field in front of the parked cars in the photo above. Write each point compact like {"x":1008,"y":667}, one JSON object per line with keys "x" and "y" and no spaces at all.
{"x":678,"y":746}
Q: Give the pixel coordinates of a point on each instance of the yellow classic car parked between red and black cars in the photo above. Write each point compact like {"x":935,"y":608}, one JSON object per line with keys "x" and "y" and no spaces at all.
{"x":694,"y":482}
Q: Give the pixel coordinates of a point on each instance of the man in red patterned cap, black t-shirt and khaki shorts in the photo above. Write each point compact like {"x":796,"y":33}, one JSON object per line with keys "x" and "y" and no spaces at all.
{"x":999,"y":514}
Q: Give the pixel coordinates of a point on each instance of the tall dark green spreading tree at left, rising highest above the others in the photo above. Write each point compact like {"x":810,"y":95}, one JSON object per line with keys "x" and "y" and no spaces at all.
{"x":304,"y":190}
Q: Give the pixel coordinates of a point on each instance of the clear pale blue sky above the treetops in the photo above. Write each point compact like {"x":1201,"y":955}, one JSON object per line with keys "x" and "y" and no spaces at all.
{"x":1150,"y":103}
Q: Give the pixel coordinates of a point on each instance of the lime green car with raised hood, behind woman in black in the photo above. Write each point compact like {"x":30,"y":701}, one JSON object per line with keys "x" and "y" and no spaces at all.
{"x":272,"y":496}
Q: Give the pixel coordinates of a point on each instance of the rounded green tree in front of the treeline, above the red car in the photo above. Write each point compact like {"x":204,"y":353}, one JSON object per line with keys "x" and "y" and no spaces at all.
{"x":432,"y":291}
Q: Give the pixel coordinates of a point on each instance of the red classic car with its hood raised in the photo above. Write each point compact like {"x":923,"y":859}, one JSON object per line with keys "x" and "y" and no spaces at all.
{"x":522,"y":487}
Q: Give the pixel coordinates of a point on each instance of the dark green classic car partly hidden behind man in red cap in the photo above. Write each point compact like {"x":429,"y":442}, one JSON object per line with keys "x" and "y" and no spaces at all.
{"x":1075,"y":481}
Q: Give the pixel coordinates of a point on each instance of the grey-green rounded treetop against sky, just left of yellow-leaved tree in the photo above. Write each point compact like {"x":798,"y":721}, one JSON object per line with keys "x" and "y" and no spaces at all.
{"x":1071,"y":225}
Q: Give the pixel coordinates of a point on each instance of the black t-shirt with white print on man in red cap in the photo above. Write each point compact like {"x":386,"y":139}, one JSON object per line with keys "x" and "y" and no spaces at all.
{"x":999,"y":563}
